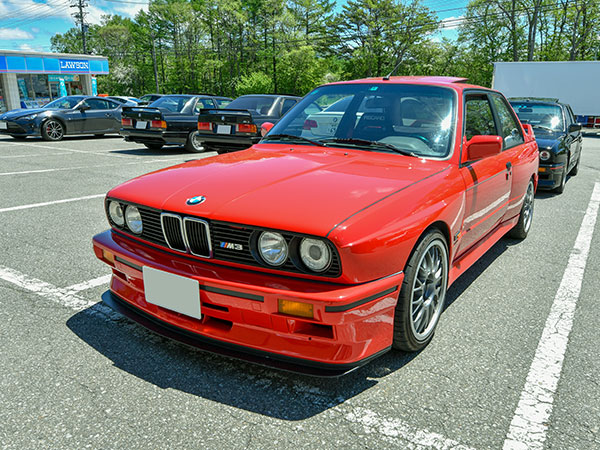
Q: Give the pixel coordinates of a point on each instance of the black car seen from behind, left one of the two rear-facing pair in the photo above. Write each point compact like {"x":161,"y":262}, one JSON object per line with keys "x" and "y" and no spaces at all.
{"x":170,"y":120}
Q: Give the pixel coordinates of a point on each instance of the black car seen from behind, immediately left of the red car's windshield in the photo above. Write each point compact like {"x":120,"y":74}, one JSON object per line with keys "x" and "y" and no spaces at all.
{"x":238,"y":125}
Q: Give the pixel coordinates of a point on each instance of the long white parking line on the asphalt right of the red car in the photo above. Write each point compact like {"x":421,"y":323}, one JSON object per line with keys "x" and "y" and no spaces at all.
{"x":529,"y":425}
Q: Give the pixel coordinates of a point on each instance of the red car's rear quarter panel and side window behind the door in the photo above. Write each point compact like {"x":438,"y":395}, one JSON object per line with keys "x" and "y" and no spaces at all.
{"x":516,"y":152}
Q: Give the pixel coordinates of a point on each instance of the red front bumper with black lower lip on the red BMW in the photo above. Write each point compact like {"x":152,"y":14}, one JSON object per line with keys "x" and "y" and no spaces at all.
{"x":352,"y":323}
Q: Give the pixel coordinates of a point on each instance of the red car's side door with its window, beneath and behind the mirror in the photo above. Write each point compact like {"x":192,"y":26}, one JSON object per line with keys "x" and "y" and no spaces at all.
{"x":487,"y":180}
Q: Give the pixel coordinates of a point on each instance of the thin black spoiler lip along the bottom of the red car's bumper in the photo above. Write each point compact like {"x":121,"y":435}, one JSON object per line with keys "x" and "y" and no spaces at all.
{"x":260,"y":357}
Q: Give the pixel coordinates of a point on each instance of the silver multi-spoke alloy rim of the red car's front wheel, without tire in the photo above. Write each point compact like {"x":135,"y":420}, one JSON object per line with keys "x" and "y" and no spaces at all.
{"x":429,"y":290}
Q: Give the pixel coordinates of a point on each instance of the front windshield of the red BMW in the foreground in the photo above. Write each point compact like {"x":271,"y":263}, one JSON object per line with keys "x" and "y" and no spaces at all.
{"x":411,"y":119}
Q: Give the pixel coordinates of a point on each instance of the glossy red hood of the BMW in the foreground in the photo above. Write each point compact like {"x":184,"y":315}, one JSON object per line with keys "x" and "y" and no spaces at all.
{"x":304,"y":189}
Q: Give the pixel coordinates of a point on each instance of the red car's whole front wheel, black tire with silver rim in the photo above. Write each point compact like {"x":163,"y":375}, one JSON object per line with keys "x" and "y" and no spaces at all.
{"x":428,"y":267}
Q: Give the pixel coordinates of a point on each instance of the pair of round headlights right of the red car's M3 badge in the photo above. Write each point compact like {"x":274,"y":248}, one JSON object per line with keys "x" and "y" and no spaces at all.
{"x":314,"y":254}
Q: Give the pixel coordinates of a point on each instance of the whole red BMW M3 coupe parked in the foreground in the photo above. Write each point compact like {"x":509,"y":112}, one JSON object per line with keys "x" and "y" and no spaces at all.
{"x":336,"y":237}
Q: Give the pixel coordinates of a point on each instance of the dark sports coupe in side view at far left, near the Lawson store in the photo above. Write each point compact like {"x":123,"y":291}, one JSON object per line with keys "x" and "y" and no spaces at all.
{"x":75,"y":114}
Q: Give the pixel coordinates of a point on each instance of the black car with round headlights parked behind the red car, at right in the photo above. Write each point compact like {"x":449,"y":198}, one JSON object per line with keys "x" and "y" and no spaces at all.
{"x":558,"y":136}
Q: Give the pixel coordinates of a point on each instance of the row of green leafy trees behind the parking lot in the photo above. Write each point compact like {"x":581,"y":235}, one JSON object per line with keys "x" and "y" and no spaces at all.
{"x":234,"y":47}
